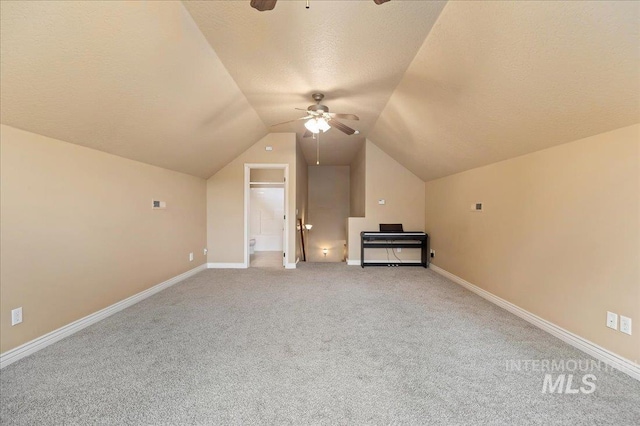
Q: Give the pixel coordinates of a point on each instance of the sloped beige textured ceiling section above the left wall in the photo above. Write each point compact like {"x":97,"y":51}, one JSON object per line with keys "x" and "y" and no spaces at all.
{"x":136,"y":79}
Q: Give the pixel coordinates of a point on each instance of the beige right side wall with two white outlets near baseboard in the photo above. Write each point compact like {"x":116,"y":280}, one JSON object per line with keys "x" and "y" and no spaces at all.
{"x":559,"y":236}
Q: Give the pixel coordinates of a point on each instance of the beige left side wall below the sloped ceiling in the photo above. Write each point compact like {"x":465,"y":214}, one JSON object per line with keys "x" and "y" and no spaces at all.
{"x":79,"y":234}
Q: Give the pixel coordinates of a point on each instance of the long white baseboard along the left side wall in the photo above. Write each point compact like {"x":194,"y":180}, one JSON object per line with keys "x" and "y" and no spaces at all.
{"x":13,"y":355}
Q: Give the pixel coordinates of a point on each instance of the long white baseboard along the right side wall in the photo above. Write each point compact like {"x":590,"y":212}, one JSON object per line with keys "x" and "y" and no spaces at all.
{"x":596,"y":351}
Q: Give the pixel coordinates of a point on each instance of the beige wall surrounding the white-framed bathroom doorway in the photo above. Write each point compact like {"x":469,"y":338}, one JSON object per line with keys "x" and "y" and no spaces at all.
{"x":225,"y":198}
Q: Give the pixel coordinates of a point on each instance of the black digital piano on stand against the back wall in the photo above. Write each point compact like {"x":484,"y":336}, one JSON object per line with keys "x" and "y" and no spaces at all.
{"x":394,"y":240}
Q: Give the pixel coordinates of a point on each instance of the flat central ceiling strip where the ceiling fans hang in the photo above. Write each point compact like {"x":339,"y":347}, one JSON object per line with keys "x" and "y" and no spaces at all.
{"x":355,"y":52}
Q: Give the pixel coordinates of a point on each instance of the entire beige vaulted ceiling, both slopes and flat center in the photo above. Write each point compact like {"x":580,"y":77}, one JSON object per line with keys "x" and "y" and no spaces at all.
{"x":441,"y":87}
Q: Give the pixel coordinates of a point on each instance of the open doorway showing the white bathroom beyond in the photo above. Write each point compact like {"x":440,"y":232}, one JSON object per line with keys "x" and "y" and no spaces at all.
{"x":266,"y":224}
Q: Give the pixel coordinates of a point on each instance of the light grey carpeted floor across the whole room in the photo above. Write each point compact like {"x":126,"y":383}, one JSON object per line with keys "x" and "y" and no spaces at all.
{"x":323,"y":344}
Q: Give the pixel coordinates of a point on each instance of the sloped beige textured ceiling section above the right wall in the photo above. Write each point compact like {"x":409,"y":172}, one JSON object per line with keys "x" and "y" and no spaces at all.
{"x":495,"y":80}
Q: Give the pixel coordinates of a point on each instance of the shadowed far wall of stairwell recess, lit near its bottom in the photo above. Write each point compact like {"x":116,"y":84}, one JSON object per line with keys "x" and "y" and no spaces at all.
{"x":328,"y":212}
